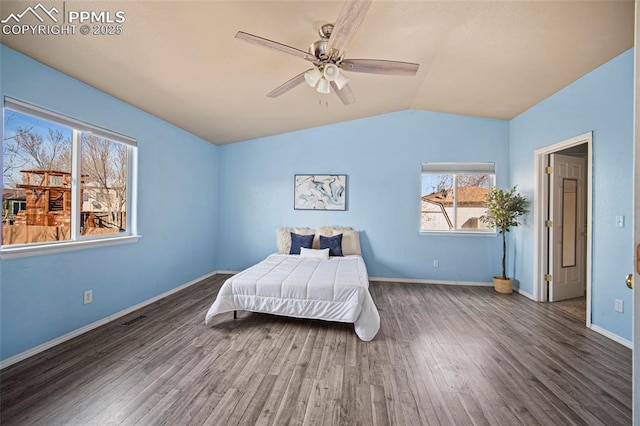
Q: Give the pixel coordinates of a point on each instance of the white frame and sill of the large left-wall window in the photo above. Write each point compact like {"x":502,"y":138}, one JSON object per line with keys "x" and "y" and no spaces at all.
{"x":78,"y":241}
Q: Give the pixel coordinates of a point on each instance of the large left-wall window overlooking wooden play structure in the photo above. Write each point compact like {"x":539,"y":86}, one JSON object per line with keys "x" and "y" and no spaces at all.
{"x":63,"y":180}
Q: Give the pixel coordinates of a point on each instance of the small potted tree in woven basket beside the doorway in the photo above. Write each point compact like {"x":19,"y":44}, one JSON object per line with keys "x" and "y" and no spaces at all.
{"x":504,"y":209}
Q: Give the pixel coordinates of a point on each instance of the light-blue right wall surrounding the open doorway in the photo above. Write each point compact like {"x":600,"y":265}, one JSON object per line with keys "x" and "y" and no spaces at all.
{"x":602,"y":102}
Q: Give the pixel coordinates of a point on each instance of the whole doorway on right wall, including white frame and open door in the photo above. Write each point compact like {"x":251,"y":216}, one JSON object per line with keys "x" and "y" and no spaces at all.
{"x":562,"y":226}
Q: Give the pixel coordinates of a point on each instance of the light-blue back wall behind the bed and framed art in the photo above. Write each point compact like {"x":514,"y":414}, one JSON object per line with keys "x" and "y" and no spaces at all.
{"x":382,"y":158}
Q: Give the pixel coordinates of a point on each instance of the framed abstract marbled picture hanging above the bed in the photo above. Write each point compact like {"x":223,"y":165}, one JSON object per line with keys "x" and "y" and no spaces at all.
{"x":320,"y":192}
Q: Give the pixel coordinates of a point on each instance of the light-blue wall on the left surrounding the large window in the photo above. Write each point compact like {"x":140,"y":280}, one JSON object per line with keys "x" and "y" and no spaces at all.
{"x":41,"y":296}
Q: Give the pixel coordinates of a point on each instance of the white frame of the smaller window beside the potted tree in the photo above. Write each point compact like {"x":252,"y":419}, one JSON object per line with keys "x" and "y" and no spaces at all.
{"x":455,"y":169}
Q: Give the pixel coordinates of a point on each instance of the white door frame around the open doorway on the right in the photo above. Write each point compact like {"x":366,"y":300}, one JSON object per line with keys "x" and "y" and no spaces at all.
{"x":540,"y":207}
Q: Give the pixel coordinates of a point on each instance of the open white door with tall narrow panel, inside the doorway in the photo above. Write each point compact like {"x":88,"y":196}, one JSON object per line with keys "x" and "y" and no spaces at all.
{"x":567,"y":236}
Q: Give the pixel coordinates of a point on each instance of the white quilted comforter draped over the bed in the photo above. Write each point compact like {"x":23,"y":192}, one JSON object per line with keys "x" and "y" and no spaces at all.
{"x":334,"y":290}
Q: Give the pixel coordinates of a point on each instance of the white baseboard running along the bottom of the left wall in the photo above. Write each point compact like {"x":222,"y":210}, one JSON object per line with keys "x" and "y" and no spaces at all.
{"x":77,"y":332}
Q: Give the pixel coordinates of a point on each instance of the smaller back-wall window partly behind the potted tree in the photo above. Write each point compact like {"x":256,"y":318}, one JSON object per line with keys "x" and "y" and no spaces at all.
{"x":453,"y":196}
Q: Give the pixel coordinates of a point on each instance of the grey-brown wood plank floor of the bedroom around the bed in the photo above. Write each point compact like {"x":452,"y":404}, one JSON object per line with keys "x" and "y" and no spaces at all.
{"x":444,"y":355}
